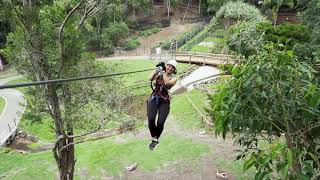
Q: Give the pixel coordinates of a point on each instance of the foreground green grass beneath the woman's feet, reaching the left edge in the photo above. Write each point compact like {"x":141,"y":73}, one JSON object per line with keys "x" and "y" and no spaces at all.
{"x":106,"y":155}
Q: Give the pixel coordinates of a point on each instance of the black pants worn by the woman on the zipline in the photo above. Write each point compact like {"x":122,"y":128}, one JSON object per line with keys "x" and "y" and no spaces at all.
{"x":162,"y":107}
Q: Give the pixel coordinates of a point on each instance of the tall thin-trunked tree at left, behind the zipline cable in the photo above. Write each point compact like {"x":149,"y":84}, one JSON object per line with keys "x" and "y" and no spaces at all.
{"x":48,"y":43}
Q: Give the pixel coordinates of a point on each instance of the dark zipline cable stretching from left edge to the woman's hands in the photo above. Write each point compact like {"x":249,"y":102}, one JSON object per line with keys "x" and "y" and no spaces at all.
{"x":68,"y":79}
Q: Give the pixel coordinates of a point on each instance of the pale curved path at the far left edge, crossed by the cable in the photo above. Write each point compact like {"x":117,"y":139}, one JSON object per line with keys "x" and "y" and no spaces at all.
{"x":14,"y":108}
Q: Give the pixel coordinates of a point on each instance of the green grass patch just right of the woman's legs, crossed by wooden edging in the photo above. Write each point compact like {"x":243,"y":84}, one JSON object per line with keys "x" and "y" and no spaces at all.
{"x":184,"y":113}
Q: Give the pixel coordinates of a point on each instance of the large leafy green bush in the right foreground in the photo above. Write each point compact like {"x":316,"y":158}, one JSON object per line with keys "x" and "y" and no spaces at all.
{"x":272,"y":93}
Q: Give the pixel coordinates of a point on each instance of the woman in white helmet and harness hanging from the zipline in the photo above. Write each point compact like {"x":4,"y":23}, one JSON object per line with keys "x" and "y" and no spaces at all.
{"x":159,"y":102}
